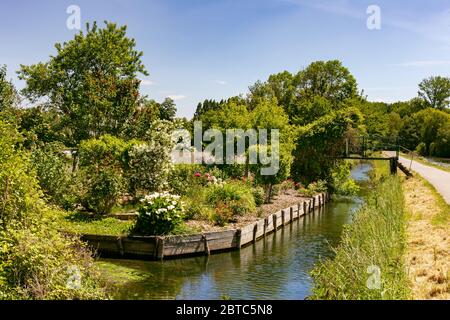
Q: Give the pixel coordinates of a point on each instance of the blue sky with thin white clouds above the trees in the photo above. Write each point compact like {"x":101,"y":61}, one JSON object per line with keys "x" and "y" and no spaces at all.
{"x":198,"y":49}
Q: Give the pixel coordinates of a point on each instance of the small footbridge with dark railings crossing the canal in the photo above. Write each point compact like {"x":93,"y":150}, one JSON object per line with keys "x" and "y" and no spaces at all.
{"x":372,"y":147}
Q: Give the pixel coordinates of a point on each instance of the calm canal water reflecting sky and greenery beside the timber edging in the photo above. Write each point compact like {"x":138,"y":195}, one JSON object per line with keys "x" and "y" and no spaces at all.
{"x":276,"y":267}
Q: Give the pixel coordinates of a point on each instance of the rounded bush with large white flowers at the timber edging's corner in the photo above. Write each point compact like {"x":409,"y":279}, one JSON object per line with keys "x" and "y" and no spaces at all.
{"x":159,"y":214}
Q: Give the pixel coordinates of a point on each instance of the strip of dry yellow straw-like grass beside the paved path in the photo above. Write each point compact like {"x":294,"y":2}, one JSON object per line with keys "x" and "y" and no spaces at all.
{"x":428,"y":256}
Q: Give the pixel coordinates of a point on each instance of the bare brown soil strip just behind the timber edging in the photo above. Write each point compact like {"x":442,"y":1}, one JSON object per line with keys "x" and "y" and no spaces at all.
{"x":282,"y":201}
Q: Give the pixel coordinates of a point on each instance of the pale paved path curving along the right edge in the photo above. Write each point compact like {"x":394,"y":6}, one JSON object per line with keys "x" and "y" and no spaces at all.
{"x":438,"y":178}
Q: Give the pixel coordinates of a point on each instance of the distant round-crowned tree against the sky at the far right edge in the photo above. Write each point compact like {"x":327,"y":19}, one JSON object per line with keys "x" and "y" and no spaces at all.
{"x":435,"y":91}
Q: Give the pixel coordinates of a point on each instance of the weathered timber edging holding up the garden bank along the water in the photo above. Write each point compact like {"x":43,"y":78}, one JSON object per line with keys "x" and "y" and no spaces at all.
{"x":159,"y":247}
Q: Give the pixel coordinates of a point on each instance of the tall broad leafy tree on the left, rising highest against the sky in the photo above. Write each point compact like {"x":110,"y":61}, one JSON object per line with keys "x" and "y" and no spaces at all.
{"x":92,"y":81}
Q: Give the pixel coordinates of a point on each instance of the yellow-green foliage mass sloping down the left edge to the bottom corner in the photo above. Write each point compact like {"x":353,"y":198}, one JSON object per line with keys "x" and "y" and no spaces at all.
{"x":35,"y":259}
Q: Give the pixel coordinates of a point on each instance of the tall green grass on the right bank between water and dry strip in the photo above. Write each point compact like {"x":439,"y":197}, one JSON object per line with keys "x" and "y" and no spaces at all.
{"x":375,"y":239}
